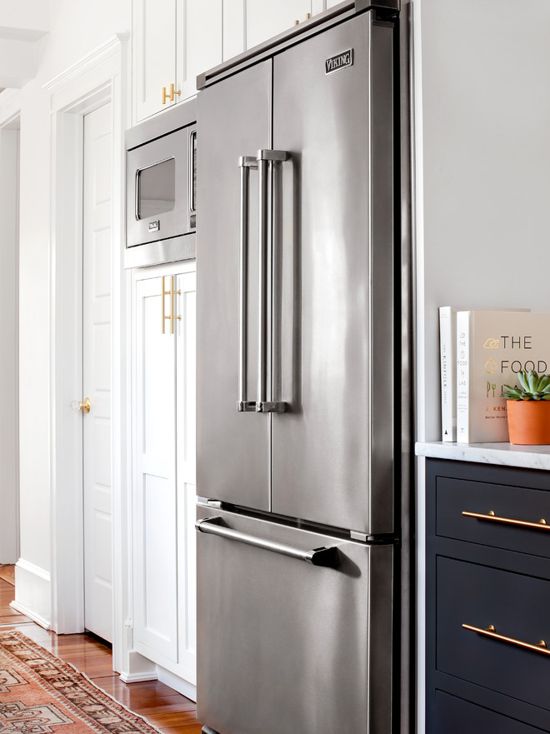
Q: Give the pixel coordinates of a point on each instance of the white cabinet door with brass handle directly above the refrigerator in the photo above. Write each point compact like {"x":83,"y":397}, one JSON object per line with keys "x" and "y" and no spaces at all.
{"x":265,"y":20}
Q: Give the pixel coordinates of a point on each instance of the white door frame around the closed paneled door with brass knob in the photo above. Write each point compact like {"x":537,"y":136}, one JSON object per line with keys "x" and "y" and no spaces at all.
{"x":98,"y":79}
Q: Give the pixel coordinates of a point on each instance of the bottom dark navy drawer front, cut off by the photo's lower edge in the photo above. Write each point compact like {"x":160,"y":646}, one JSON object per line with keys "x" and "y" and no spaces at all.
{"x":452,"y":715}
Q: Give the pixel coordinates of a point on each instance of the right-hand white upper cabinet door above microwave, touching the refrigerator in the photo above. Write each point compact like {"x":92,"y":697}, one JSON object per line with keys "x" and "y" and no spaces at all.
{"x":199,"y":42}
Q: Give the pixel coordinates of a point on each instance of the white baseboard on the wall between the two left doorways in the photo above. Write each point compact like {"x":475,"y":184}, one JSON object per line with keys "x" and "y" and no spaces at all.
{"x":33,"y":592}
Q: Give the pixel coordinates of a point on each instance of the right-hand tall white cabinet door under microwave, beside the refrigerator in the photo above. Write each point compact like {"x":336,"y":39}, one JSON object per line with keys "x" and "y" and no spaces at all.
{"x":186,"y":472}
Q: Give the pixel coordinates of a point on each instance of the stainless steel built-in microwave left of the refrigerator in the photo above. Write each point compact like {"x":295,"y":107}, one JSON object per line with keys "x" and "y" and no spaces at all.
{"x":161,"y":184}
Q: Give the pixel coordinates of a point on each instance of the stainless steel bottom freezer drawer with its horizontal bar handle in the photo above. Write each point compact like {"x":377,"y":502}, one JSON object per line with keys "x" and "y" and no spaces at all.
{"x":294,"y":629}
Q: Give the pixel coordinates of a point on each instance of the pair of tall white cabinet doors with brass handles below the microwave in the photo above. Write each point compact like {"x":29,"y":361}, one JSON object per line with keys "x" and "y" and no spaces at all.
{"x":163,"y":494}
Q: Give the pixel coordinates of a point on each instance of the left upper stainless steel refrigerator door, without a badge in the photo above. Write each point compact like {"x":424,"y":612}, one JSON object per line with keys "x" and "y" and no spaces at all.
{"x":234,"y":120}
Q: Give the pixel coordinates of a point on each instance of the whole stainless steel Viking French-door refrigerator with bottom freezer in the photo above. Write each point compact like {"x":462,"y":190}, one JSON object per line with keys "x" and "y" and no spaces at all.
{"x":299,"y":359}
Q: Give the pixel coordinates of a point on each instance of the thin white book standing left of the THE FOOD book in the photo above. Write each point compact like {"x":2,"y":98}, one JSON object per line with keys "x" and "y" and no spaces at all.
{"x":447,"y":352}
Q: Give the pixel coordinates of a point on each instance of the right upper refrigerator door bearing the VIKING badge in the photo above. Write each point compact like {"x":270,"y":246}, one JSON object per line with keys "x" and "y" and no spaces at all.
{"x":333,"y":336}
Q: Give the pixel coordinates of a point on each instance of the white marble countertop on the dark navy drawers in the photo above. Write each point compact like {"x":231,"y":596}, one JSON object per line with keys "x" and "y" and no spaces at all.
{"x":504,"y":454}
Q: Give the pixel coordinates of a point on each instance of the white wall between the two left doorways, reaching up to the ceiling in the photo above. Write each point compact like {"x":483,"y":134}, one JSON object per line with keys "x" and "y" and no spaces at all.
{"x":77,"y":28}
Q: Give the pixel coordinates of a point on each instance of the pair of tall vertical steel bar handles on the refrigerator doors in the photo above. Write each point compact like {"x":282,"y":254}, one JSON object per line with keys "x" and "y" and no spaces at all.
{"x":264,"y":162}
